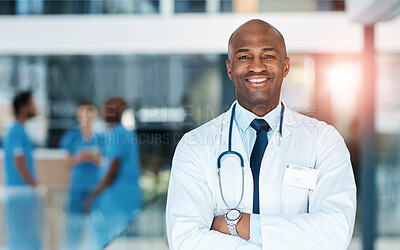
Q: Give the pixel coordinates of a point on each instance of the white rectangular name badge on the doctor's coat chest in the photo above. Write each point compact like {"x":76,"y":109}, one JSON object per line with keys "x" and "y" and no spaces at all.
{"x":302,"y":177}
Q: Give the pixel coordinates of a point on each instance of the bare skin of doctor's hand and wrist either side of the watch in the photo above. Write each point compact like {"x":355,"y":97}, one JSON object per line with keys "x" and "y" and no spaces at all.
{"x":242,"y":227}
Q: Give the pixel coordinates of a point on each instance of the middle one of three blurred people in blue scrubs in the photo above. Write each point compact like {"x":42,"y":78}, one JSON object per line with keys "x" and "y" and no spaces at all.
{"x":84,"y":147}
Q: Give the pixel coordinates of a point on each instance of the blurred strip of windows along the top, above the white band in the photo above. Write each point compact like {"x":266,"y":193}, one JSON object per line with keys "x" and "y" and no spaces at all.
{"x":37,"y":7}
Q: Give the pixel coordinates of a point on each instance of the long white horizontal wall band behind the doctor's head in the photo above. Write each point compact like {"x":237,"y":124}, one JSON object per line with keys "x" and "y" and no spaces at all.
{"x":202,"y":33}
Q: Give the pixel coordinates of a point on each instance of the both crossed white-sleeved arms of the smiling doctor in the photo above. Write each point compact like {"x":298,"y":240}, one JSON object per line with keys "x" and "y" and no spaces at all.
{"x":329,"y":223}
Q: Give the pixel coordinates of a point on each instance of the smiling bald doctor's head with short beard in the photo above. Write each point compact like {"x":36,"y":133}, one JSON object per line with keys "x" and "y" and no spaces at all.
{"x":257,"y":65}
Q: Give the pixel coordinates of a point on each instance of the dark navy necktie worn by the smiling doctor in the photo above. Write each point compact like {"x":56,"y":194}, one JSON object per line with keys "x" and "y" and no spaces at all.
{"x":262,"y":127}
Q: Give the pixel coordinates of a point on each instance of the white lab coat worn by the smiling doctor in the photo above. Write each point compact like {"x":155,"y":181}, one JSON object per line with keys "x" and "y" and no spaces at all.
{"x":291,"y":217}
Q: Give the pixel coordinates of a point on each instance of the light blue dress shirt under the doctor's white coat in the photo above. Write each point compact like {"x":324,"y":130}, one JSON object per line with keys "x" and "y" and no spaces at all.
{"x":243,"y":119}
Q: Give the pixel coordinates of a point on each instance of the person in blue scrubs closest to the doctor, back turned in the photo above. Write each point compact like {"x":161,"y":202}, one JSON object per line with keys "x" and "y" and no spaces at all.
{"x":118,"y":197}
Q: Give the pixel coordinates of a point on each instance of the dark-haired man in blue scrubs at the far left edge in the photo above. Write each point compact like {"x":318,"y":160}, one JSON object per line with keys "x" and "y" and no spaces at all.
{"x":23,"y":207}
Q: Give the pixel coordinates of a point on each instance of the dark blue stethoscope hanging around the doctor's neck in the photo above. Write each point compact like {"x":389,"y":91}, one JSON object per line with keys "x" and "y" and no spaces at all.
{"x":238,"y":155}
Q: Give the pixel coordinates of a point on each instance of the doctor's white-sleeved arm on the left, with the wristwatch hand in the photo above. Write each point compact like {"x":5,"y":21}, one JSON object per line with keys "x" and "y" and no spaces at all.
{"x":190,"y":215}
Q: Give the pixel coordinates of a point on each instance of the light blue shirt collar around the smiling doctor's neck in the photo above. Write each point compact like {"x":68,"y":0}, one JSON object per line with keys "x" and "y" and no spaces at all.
{"x":244,"y":117}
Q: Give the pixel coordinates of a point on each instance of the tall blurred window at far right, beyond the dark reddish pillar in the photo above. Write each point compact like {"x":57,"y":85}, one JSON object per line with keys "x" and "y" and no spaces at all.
{"x":388,"y":127}
